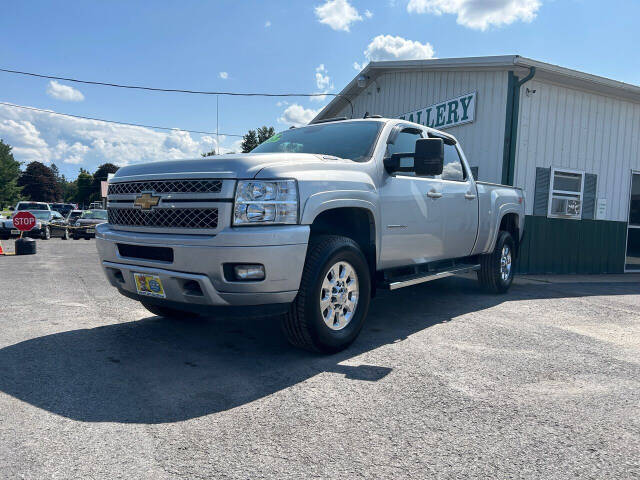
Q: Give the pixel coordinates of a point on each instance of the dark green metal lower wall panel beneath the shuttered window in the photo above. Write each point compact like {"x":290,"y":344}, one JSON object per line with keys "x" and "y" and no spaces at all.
{"x":554,"y":245}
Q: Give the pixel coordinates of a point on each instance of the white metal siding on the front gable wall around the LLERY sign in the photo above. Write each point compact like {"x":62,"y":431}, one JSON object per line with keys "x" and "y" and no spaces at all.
{"x":482,"y":140}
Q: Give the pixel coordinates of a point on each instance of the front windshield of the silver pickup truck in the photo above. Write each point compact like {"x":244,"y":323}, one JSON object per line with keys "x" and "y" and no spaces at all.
{"x":351,"y":140}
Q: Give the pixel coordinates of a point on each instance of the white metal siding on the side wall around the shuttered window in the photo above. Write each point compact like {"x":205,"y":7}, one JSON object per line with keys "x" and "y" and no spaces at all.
{"x":564,"y":127}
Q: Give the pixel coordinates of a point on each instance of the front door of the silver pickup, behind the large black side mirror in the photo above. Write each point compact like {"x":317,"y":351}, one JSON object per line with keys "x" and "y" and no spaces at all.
{"x":412,"y":221}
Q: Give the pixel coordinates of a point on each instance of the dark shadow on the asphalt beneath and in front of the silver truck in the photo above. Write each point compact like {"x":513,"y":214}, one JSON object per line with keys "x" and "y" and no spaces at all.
{"x":156,"y":370}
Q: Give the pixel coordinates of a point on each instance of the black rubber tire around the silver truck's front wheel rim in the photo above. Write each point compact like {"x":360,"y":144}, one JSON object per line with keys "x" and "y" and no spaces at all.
{"x":303,"y":324}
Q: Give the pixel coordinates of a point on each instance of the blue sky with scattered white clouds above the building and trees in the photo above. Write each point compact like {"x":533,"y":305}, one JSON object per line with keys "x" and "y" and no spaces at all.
{"x":265,"y":46}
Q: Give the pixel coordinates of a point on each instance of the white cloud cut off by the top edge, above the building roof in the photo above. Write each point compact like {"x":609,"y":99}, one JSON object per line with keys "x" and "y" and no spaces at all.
{"x":478,"y":14}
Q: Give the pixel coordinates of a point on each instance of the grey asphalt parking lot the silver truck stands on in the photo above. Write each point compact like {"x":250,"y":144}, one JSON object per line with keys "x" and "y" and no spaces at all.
{"x":445,"y":381}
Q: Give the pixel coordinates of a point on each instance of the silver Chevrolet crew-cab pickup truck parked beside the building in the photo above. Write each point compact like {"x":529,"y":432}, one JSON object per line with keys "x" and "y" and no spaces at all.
{"x":308,"y":225}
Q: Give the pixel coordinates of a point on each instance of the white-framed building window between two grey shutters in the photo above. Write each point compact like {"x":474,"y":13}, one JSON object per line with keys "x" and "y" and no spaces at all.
{"x":565,"y":194}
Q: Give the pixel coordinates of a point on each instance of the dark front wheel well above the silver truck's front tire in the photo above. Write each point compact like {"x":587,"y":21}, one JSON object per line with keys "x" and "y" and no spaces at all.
{"x":355,"y":223}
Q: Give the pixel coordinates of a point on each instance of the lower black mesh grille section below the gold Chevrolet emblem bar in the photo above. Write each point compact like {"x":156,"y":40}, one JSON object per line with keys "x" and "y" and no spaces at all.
{"x":191,"y":218}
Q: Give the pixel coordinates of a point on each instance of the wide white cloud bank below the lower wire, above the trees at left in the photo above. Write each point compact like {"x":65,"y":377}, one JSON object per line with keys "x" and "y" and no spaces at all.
{"x":69,"y":142}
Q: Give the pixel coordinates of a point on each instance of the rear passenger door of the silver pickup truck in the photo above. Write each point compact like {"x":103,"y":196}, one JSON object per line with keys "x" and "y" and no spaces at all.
{"x":459,"y":205}
